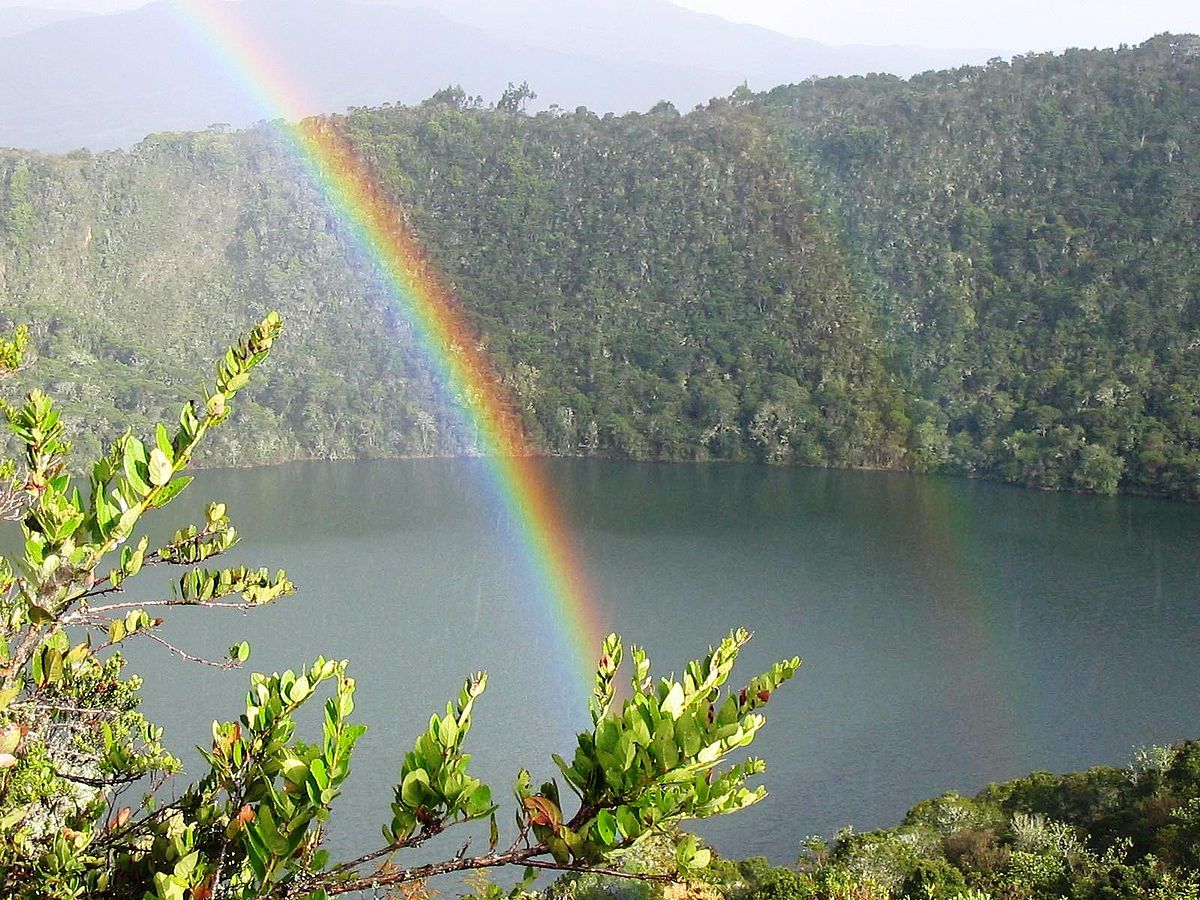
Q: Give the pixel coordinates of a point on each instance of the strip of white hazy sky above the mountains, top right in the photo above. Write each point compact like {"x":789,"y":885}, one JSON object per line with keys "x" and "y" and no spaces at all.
{"x":1009,"y":26}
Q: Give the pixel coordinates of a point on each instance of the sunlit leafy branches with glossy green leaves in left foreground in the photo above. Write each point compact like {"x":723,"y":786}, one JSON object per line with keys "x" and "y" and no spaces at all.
{"x":73,"y":742}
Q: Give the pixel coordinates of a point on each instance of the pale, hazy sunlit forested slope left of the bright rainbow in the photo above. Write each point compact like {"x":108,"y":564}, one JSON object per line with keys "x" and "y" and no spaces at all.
{"x":131,"y":267}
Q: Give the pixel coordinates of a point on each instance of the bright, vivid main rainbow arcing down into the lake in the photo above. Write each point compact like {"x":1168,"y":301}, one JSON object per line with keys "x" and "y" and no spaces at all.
{"x":376,"y":224}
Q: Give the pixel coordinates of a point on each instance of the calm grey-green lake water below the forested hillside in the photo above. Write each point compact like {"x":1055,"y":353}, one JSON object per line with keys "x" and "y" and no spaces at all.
{"x":953,"y":633}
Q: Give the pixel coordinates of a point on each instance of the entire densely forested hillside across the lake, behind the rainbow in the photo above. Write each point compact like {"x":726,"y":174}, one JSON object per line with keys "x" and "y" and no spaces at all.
{"x":993,"y":272}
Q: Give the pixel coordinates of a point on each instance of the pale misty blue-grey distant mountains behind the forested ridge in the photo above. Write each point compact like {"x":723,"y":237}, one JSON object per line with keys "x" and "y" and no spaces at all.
{"x":104,"y":82}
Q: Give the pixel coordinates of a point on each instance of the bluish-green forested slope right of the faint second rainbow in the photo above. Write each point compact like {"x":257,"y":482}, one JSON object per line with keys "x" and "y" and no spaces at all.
{"x":1030,"y":235}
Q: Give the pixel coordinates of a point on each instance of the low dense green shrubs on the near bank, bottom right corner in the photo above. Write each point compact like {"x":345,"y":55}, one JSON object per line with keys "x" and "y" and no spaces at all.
{"x":1105,"y":835}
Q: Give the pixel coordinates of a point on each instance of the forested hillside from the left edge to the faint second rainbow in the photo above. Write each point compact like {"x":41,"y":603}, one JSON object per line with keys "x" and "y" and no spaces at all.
{"x":652,"y":286}
